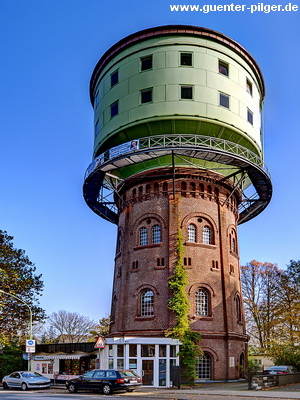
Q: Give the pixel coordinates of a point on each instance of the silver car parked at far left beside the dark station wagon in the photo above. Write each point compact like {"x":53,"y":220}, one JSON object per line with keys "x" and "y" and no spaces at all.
{"x":25,"y":380}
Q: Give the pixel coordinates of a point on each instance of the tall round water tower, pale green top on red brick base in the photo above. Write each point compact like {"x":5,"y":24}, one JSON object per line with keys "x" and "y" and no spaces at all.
{"x":178,"y":140}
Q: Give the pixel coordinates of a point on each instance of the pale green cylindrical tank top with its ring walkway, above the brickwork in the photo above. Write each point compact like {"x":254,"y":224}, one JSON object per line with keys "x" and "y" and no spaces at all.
{"x":181,"y":96}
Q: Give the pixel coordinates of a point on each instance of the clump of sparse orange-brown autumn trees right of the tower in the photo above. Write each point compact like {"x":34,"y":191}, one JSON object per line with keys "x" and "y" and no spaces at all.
{"x":272,"y":308}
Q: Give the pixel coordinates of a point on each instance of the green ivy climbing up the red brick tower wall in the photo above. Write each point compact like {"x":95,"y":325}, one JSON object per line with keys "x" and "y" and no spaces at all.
{"x":179,"y":303}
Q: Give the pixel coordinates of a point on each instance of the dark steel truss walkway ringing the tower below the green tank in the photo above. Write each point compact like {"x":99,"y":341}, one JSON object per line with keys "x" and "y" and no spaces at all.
{"x":101,"y":184}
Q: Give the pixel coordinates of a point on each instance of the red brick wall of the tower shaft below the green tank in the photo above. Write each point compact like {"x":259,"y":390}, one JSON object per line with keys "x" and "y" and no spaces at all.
{"x":200,"y":199}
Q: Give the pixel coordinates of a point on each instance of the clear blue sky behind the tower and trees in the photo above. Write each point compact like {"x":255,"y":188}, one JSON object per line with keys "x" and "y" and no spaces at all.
{"x":48,"y":51}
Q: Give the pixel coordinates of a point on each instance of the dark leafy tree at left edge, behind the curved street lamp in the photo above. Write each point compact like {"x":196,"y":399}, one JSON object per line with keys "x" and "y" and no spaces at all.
{"x":18,"y":278}
